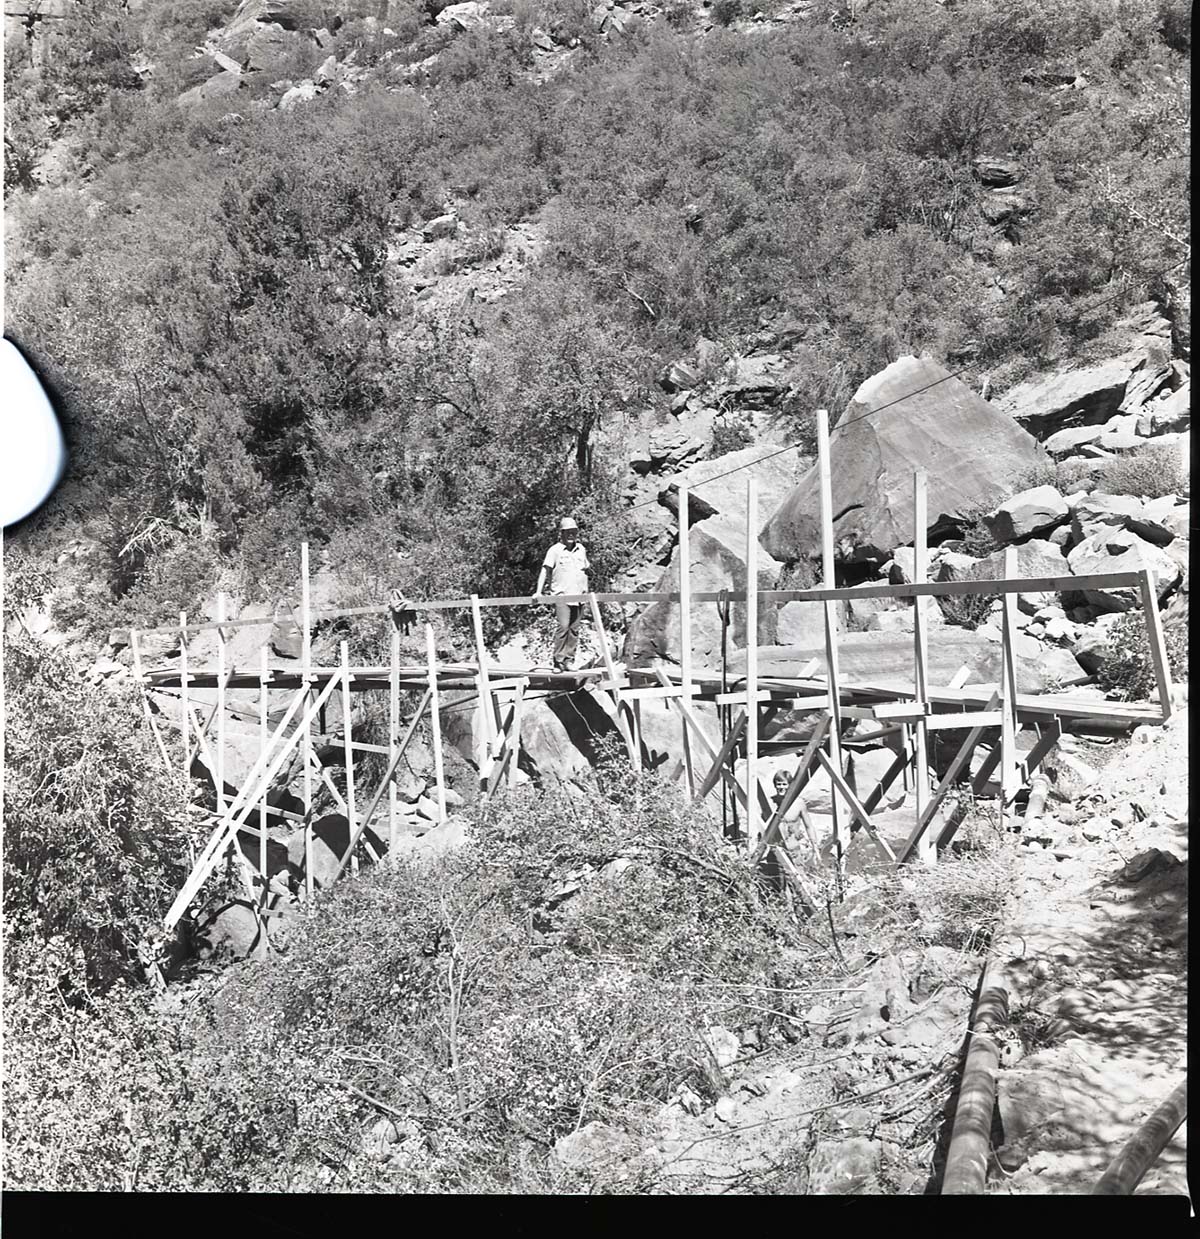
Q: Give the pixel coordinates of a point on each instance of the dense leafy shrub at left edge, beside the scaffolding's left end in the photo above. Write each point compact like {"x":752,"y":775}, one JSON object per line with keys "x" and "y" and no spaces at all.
{"x":96,"y":837}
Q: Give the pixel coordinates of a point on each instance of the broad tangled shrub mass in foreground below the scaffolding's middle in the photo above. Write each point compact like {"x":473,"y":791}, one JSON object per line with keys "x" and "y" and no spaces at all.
{"x":502,"y":996}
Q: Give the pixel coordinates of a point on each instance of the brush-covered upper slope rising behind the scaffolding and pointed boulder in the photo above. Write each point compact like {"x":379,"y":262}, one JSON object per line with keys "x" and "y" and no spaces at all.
{"x":441,"y":273}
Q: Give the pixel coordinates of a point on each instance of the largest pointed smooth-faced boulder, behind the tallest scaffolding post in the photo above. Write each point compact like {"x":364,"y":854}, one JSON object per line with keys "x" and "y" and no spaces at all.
{"x":912,"y":416}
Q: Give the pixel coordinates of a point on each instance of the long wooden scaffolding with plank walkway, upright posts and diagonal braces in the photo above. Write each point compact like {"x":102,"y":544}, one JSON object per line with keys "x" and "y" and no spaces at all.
{"x":501,"y":696}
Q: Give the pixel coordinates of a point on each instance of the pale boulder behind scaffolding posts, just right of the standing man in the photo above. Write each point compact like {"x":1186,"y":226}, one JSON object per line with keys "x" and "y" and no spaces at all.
{"x":718,"y":553}
